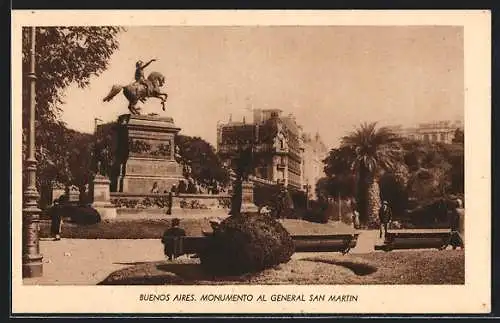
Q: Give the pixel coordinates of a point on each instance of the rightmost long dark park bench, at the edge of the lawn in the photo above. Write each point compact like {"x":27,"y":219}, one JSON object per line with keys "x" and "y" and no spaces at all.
{"x":415,"y":239}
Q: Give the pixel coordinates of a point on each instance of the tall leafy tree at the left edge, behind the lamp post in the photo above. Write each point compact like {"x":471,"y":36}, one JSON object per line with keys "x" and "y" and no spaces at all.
{"x":64,"y":56}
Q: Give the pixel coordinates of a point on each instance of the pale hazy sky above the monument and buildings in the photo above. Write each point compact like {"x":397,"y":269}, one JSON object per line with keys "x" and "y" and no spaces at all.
{"x":332,"y":78}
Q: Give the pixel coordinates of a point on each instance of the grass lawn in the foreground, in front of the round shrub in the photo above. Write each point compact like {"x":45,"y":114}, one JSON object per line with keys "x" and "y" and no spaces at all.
{"x":406,"y":267}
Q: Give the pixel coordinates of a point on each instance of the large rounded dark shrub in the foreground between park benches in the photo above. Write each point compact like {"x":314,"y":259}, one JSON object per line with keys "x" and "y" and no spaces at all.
{"x":246,"y":244}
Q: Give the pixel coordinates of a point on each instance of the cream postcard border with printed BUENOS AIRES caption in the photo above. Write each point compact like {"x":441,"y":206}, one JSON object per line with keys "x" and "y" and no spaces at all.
{"x":473,"y":297}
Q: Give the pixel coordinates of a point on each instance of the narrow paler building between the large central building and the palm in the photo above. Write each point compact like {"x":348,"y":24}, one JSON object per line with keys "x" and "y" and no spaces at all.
{"x":315,"y":152}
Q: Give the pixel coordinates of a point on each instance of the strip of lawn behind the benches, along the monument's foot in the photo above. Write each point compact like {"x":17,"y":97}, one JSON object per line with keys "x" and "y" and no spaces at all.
{"x":154,"y":228}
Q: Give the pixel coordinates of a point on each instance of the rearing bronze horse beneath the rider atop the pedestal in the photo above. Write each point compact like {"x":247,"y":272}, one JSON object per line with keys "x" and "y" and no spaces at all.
{"x":135,"y":92}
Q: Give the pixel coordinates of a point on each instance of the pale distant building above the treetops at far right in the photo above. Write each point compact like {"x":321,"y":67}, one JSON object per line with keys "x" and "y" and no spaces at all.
{"x":439,"y":131}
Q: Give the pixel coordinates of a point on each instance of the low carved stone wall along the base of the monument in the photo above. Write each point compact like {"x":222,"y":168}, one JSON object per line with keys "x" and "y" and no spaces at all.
{"x":144,"y":205}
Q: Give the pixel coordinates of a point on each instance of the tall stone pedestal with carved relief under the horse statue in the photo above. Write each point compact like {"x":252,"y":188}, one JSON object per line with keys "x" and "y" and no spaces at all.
{"x":145,"y":155}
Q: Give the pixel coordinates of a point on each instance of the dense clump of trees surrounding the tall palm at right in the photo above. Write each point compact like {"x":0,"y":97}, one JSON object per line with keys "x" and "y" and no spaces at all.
{"x":413,"y":169}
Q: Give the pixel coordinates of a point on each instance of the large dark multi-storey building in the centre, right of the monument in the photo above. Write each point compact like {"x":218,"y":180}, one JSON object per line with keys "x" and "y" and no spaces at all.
{"x":277,"y":141}
